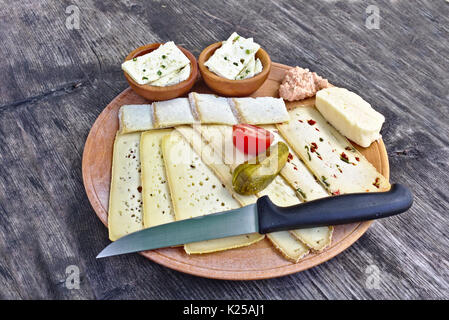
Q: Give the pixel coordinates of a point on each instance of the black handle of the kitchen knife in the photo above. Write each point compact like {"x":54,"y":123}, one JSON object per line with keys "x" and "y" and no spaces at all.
{"x":334,"y":210}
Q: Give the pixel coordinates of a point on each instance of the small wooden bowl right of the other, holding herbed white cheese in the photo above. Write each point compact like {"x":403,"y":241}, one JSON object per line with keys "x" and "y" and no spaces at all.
{"x":233,"y":88}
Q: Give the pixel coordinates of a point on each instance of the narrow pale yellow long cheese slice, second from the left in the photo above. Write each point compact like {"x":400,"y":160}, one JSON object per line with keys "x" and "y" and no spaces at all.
{"x":157,"y":206}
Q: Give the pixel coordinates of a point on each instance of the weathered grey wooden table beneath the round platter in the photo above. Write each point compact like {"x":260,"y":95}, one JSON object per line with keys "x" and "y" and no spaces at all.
{"x":57,"y":76}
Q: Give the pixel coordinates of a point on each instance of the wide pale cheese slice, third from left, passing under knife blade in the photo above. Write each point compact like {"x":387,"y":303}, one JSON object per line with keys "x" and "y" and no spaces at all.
{"x":196,"y":191}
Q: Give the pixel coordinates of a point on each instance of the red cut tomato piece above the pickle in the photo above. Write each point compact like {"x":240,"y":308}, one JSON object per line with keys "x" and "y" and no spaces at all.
{"x":251,"y":139}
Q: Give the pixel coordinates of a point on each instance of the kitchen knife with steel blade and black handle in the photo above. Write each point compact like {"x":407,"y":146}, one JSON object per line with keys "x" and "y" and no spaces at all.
{"x":264,"y":217}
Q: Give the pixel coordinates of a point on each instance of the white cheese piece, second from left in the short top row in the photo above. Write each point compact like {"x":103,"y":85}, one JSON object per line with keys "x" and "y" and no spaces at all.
{"x":172,"y":112}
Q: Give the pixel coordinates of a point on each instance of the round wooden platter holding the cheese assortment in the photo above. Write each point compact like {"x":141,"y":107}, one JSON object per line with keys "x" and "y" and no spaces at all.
{"x":258,"y":261}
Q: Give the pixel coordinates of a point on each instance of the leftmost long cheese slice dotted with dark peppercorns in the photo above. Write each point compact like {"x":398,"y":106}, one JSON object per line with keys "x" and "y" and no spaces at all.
{"x":125,"y":200}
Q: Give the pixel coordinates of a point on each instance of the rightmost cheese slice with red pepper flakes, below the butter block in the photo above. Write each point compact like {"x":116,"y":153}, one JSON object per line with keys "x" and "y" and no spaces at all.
{"x":330,"y":156}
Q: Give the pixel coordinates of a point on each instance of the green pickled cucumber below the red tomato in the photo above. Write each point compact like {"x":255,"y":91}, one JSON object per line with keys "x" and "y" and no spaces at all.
{"x":256,"y":174}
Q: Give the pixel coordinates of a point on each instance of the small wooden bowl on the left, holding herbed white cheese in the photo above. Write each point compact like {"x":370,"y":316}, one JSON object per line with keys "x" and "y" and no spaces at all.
{"x":163,"y":93}
